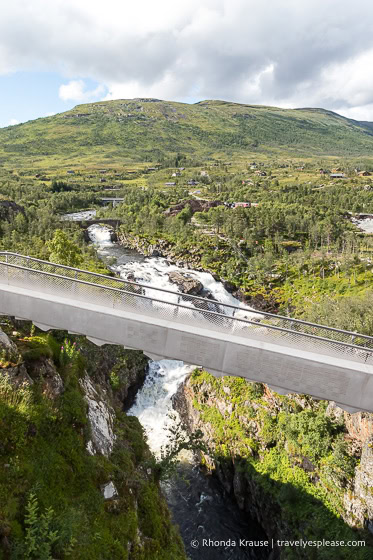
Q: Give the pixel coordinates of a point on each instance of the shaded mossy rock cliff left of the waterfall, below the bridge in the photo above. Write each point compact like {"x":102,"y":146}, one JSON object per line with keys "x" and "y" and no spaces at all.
{"x":77,"y":479}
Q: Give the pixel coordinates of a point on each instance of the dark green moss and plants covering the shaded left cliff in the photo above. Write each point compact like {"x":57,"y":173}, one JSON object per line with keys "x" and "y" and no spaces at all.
{"x":51,"y":505}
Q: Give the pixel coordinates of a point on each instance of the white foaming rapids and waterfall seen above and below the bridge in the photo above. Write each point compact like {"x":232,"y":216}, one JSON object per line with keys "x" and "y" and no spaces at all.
{"x":153,"y":402}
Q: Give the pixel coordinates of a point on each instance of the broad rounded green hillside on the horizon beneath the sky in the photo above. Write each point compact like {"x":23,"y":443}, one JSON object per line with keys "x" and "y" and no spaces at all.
{"x":147,"y":130}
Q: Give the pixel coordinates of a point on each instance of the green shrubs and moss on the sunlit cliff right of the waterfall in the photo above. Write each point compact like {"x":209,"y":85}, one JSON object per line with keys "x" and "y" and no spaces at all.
{"x":297,"y":456}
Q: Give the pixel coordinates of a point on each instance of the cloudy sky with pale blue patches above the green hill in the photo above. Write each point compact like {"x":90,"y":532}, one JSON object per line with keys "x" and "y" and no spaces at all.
{"x":55,"y":54}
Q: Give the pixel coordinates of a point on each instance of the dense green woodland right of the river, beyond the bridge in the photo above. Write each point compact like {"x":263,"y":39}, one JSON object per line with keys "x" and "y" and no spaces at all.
{"x":292,"y":251}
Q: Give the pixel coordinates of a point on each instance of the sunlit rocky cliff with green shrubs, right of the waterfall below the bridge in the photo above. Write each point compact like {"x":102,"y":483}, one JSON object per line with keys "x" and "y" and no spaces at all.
{"x":301,"y":467}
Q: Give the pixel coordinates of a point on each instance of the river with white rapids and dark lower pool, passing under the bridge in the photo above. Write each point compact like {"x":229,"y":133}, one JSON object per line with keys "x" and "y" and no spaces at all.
{"x":196,"y":500}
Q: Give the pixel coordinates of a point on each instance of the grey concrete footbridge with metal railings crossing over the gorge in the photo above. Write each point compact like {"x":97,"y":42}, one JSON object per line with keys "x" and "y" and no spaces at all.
{"x":287,"y":354}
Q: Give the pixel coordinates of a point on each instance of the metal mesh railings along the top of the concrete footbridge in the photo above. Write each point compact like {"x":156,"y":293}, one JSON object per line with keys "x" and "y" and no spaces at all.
{"x":120,"y":294}
